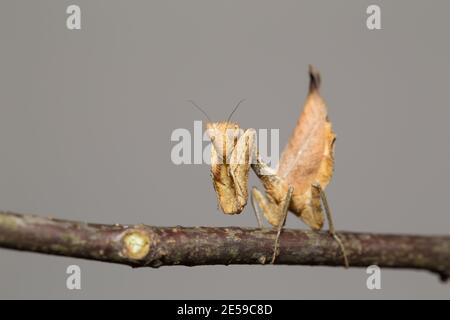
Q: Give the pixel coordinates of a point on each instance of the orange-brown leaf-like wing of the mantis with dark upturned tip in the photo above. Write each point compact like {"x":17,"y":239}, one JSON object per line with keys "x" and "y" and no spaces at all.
{"x":308,"y":156}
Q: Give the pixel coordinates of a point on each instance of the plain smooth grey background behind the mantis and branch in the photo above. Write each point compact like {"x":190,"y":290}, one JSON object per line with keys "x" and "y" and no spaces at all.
{"x":86,"y":118}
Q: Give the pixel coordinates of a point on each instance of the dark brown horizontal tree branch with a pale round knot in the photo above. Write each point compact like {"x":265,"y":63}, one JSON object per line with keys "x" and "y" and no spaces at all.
{"x":142,"y":245}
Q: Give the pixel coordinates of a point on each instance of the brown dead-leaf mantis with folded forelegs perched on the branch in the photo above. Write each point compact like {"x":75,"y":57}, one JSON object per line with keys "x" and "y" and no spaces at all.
{"x":297,"y":185}
